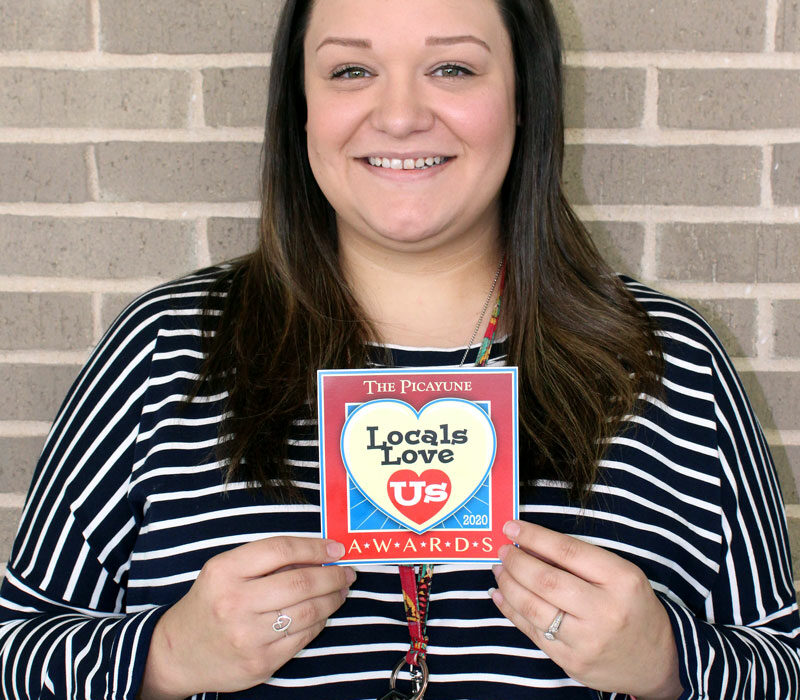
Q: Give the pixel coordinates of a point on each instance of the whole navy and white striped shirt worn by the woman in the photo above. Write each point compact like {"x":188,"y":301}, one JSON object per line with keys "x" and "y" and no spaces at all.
{"x":128,"y":502}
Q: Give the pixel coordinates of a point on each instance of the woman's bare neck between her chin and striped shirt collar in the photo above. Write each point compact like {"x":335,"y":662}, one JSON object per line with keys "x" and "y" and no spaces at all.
{"x":430,"y":299}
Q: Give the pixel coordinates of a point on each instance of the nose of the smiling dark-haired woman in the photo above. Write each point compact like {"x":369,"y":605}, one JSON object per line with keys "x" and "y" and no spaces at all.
{"x":401,"y":108}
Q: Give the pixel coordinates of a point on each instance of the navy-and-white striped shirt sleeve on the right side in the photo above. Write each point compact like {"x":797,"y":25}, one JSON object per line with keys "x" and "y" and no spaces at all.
{"x":745,"y":643}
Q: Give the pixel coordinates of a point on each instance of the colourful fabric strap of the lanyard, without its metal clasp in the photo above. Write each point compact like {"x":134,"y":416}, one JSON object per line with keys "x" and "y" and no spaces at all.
{"x":417,"y":584}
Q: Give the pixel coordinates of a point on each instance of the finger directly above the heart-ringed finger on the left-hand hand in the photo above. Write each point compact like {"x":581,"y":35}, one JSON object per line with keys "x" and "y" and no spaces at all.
{"x":291,"y":586}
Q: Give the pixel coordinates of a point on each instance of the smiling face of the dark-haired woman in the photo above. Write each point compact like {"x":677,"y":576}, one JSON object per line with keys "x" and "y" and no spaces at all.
{"x":411,"y":117}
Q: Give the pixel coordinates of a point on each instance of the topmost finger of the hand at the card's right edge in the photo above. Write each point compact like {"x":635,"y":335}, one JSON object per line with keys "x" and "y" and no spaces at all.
{"x":589,"y":562}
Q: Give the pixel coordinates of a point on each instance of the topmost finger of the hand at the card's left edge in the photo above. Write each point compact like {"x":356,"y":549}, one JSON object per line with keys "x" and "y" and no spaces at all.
{"x":264,"y":556}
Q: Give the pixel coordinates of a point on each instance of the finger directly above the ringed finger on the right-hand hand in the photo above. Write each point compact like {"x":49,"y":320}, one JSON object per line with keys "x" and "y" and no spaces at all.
{"x":560,"y":588}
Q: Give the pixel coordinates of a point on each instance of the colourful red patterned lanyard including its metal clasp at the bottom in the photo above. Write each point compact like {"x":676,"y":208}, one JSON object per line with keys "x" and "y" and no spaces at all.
{"x":417,"y":584}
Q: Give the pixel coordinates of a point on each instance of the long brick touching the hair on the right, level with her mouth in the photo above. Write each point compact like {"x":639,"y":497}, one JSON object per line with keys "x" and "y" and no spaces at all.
{"x":622,"y":174}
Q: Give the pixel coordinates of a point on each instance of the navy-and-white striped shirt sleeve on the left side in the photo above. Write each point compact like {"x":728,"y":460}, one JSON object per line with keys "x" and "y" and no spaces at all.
{"x":64,"y":632}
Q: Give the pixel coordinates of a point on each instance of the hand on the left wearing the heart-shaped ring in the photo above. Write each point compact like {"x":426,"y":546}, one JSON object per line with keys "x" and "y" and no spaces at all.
{"x":220,"y":637}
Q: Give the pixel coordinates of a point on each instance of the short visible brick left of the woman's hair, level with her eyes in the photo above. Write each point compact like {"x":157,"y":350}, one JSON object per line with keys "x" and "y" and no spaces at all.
{"x":235,"y":96}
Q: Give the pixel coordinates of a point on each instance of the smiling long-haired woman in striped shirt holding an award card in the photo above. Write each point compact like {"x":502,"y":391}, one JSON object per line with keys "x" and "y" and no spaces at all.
{"x":413,"y":154}
